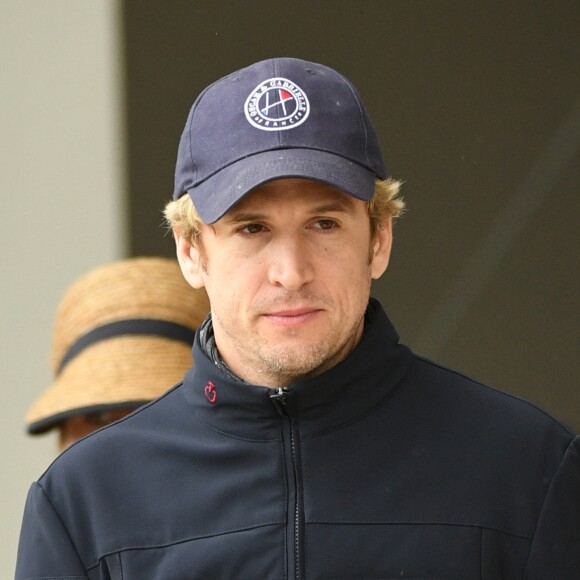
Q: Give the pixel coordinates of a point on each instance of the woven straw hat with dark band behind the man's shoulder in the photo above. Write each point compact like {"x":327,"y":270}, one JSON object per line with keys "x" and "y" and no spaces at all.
{"x":122,"y":336}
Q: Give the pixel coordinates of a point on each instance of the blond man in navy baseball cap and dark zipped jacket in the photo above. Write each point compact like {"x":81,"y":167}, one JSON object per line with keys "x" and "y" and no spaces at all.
{"x":306,"y":442}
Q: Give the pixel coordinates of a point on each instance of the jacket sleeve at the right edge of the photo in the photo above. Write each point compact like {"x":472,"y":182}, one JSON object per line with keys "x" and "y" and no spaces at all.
{"x":555,"y":551}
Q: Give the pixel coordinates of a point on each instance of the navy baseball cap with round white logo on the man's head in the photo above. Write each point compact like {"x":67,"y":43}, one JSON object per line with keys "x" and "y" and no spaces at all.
{"x":277,"y":118}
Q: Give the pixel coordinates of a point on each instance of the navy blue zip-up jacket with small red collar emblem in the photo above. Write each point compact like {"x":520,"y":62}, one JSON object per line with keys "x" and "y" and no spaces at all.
{"x":386,"y":466}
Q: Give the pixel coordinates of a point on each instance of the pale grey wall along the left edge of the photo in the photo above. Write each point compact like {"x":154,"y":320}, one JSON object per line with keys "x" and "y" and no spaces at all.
{"x":62,"y":193}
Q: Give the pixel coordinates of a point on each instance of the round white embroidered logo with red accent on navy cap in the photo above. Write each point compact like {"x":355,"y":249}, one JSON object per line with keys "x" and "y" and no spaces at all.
{"x":276,"y":105}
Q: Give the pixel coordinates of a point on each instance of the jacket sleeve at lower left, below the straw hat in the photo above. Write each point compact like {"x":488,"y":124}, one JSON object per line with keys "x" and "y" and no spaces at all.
{"x":45,"y":549}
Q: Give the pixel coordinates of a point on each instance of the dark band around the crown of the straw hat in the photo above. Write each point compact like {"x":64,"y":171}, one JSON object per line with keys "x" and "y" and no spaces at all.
{"x":134,"y":326}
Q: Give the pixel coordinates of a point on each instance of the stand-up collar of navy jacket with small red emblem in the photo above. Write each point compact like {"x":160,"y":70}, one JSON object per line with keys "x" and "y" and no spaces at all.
{"x":341,"y":395}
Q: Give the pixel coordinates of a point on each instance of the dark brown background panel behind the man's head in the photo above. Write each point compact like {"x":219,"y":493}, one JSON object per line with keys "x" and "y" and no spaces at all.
{"x":478,"y":110}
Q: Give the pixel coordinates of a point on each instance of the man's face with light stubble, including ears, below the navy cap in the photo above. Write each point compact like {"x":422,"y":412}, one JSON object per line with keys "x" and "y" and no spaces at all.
{"x":288,"y":273}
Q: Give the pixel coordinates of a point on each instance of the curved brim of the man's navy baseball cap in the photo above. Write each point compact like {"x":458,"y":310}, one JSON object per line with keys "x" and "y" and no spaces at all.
{"x":217,"y":194}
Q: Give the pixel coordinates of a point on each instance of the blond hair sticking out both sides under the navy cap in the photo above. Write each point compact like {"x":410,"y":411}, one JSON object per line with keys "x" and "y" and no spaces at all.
{"x":181,"y":215}
